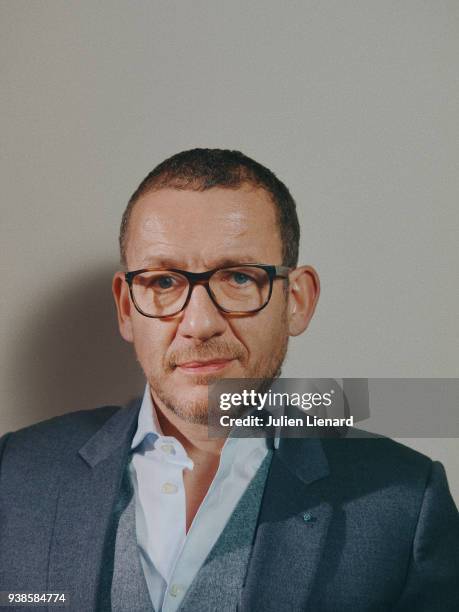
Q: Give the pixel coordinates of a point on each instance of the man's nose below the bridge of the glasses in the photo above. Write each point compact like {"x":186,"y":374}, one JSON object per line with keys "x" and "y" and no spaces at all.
{"x":201,"y":319}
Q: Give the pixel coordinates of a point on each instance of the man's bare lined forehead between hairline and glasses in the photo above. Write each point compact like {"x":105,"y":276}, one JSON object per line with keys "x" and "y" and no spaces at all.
{"x":200,"y":229}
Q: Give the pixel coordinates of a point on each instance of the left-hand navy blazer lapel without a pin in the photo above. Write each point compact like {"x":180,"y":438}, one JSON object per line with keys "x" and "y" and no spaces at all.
{"x":86,"y":497}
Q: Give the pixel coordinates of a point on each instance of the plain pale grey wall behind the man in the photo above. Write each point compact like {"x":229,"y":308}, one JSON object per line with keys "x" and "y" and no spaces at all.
{"x":352,"y":104}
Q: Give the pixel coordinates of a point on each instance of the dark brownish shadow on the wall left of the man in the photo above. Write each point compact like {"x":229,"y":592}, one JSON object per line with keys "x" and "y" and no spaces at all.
{"x":70,"y":355}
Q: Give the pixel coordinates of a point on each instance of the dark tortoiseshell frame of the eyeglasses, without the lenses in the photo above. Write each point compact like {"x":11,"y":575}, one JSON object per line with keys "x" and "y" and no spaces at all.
{"x":202,"y":278}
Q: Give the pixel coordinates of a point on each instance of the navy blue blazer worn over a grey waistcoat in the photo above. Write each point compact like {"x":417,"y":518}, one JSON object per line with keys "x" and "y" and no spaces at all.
{"x":352,"y":524}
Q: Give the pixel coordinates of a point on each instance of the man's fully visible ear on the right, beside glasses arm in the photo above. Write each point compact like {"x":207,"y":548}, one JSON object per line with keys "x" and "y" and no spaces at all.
{"x":303,"y":294}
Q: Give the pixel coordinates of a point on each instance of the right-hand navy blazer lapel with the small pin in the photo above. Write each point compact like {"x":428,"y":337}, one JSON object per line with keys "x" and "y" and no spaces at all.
{"x":291,"y":531}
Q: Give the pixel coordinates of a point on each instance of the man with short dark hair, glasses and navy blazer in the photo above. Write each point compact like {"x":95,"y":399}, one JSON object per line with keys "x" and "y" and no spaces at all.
{"x":138,"y":508}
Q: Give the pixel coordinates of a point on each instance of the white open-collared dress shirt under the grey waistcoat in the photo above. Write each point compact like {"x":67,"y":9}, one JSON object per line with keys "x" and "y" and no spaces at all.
{"x":170,"y":557}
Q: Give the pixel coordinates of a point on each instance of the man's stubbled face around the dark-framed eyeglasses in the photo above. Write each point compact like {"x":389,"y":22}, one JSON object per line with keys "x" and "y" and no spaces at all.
{"x":198,"y":231}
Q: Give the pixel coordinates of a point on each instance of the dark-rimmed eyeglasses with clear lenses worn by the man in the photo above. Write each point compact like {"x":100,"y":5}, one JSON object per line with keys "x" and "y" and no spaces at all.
{"x":241,"y":289}
